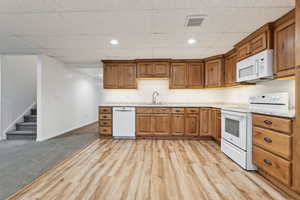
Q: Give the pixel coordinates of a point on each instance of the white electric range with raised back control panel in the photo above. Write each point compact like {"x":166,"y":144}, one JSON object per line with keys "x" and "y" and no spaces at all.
{"x":236,"y":140}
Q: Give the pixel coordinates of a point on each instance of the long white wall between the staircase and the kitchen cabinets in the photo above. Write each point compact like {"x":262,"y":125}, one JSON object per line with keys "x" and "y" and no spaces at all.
{"x":67,"y":99}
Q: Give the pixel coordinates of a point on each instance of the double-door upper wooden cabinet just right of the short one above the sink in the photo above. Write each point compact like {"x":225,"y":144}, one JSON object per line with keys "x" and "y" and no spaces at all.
{"x":187,"y":75}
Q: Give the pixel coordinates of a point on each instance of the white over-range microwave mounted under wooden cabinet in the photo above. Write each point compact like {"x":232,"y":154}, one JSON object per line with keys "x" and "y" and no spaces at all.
{"x":256,"y":68}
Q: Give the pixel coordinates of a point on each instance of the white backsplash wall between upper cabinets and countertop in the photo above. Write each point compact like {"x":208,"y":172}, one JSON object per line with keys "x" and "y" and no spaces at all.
{"x":229,"y":95}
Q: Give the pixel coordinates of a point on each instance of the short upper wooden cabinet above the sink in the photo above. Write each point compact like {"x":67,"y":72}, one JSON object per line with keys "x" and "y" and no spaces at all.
{"x":153,"y":68}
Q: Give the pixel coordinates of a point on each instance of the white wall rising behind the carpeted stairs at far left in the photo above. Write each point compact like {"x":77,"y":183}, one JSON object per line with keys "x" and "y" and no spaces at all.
{"x":18,"y":88}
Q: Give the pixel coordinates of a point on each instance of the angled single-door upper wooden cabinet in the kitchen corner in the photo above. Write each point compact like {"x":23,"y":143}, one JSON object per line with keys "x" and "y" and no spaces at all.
{"x":214,"y":72}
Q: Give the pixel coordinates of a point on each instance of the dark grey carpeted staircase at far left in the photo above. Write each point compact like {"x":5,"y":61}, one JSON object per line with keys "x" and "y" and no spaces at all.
{"x":25,"y":130}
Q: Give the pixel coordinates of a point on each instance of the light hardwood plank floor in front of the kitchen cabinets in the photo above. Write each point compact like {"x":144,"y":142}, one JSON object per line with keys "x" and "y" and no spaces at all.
{"x":149,"y":169}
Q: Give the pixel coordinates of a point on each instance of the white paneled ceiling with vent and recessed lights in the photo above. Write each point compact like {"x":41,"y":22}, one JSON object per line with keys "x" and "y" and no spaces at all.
{"x":78,"y":31}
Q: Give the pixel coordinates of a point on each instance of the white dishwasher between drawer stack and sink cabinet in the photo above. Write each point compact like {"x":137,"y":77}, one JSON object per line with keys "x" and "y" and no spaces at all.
{"x":124,"y":122}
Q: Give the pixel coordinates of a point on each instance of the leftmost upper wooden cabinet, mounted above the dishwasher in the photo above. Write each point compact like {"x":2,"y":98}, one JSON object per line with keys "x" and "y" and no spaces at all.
{"x":121,"y":75}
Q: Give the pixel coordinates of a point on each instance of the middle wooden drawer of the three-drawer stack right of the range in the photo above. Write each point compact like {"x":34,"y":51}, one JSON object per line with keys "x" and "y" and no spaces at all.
{"x":277,"y":143}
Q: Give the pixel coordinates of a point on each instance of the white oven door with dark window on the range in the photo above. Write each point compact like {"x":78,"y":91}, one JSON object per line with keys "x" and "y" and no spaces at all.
{"x":234,"y":128}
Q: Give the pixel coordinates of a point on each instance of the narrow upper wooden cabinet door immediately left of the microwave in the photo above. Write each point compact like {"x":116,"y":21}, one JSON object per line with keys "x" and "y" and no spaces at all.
{"x":230,"y":70}
